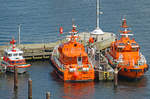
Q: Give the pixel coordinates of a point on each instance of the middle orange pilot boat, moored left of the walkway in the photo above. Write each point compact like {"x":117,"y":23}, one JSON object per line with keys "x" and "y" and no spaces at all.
{"x":70,"y":60}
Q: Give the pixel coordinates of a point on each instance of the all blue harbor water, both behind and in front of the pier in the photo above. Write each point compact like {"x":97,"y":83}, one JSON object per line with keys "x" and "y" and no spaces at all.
{"x":40,"y":20}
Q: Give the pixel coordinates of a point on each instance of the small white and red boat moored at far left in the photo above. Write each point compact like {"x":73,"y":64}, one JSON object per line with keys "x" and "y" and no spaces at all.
{"x":13,"y":57}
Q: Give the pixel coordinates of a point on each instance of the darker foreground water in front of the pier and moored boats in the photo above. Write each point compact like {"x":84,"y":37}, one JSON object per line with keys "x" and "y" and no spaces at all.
{"x":44,"y":80}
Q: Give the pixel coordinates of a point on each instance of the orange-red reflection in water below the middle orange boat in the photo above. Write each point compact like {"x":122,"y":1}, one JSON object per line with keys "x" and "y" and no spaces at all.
{"x":84,"y":90}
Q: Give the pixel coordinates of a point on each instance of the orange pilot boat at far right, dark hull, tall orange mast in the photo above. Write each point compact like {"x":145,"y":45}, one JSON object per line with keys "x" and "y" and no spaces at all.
{"x":125,"y":54}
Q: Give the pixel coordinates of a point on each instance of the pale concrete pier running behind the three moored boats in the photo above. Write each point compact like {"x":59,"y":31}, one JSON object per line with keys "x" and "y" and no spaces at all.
{"x":44,"y":50}
